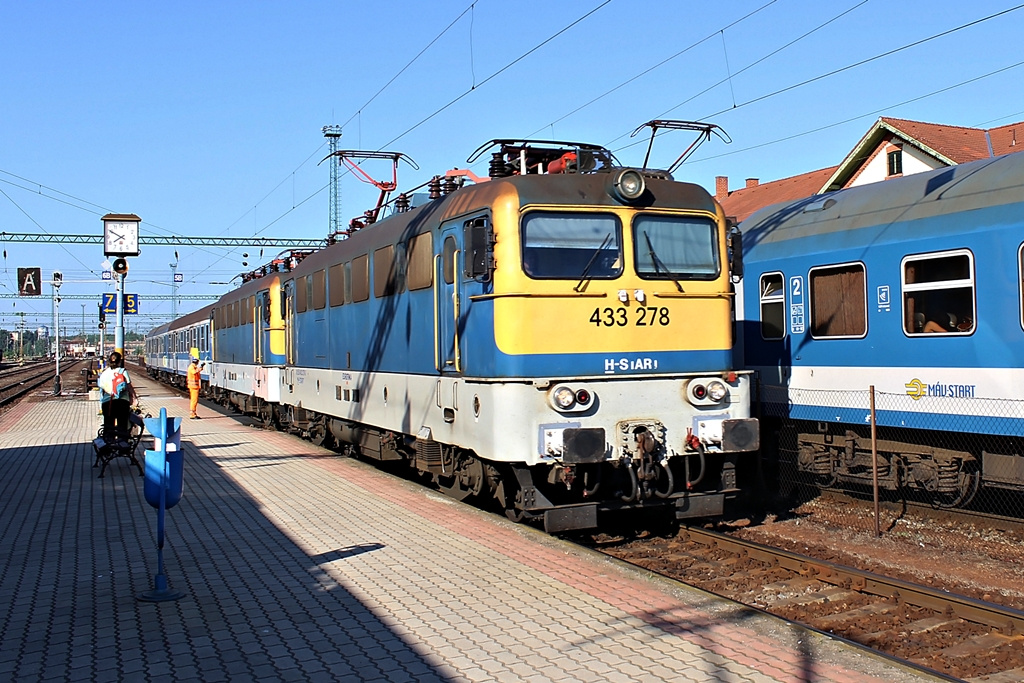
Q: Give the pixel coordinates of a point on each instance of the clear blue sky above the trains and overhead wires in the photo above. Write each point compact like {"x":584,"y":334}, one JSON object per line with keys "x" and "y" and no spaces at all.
{"x":205,"y":118}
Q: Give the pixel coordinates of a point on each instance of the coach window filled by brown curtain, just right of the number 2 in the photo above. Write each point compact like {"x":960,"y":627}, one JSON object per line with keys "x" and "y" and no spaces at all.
{"x":839,"y":302}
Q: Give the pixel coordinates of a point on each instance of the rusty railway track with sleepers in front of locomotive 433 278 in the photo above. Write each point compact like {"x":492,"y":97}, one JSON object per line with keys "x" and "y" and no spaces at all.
{"x":951,"y":634}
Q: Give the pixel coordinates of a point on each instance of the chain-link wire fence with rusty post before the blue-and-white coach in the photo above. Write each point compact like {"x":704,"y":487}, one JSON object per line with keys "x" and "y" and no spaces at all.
{"x":937,"y":445}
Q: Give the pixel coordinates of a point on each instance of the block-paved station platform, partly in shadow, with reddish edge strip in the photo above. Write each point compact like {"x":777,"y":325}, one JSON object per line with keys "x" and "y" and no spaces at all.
{"x":302,"y":566}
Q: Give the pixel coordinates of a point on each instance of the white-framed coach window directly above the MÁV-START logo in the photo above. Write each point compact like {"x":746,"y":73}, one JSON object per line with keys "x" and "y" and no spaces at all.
{"x":938,"y":294}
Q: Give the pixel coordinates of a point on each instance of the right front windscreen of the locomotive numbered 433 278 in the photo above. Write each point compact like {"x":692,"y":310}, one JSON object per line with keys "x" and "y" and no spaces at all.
{"x":675,"y":247}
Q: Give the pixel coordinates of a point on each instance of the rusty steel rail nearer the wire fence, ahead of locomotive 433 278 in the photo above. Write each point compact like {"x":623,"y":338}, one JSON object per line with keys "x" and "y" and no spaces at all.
{"x":1008,"y":620}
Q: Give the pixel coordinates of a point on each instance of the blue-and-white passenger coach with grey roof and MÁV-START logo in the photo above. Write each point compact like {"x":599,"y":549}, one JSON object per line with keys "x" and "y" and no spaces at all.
{"x":913,"y":286}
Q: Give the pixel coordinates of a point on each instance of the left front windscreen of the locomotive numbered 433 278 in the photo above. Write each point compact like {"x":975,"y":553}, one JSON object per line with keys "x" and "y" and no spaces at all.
{"x":572,"y":246}
